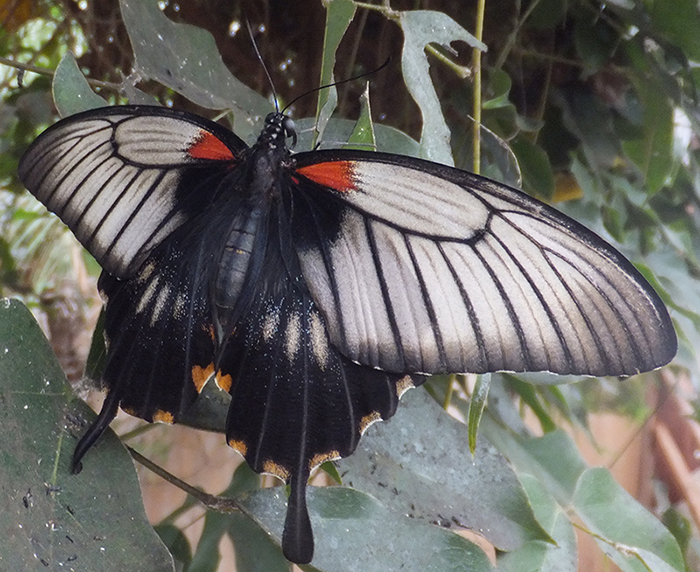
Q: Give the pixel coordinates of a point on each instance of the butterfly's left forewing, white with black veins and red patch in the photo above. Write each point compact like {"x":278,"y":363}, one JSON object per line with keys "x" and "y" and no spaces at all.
{"x":124,"y":178}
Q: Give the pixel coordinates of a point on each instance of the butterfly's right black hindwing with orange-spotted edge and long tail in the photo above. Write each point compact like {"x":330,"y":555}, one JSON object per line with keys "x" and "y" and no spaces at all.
{"x":296,"y":400}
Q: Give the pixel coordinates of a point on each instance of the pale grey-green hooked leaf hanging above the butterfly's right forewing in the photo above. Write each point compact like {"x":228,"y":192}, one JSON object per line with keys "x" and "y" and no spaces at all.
{"x":420,"y":28}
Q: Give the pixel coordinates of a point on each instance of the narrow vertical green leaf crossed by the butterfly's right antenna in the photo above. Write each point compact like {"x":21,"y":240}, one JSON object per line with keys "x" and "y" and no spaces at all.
{"x":339,"y":14}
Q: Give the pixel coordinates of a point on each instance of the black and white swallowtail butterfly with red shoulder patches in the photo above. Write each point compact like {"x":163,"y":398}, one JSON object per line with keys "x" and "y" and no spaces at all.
{"x":317,"y":287}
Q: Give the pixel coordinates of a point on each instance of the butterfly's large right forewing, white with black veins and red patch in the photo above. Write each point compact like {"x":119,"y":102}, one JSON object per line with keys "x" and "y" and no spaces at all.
{"x":419,"y":267}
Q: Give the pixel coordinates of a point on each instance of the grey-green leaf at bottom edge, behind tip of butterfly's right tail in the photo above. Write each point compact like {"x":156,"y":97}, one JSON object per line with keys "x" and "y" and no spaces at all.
{"x":356,"y":533}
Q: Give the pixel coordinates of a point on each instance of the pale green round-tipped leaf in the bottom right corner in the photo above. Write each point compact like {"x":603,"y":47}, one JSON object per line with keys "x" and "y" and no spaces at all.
{"x":620,"y":522}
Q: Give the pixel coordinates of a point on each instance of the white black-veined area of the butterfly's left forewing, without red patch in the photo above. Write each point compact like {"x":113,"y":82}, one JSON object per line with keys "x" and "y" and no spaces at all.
{"x":118,"y":205}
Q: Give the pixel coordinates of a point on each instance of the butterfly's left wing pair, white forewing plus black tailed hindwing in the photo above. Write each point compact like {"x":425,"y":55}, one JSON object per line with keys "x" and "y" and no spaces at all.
{"x":139,"y":187}
